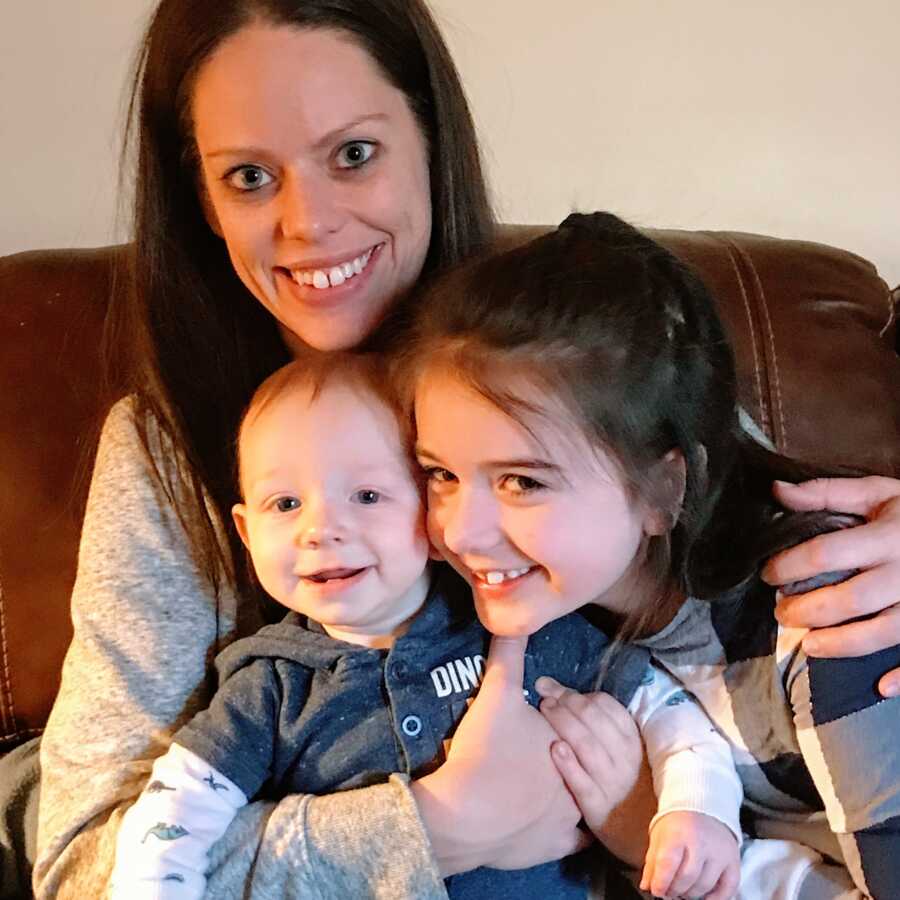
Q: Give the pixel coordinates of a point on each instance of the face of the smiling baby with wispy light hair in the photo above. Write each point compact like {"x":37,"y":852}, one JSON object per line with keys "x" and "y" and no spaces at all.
{"x":332,"y":515}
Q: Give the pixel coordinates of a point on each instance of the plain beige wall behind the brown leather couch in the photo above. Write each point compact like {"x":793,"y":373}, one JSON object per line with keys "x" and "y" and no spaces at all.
{"x":776,"y":117}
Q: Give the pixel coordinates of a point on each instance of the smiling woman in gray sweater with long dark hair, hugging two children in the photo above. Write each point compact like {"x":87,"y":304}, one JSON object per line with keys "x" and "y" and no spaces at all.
{"x":301,"y":166}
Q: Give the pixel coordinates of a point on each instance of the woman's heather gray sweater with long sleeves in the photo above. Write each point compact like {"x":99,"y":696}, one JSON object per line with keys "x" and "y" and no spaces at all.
{"x":147,"y":626}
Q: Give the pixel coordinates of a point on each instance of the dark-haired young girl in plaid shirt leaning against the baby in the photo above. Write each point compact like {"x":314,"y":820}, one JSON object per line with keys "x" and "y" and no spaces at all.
{"x":577,"y":421}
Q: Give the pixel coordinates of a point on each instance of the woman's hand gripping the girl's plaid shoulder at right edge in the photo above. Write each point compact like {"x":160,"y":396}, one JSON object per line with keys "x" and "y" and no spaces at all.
{"x":873,"y":548}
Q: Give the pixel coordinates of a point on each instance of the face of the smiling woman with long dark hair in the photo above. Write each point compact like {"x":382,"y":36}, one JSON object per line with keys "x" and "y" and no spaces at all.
{"x":316,"y":177}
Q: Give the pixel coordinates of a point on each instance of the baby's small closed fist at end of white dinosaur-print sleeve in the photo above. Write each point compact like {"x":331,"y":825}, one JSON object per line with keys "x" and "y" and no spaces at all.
{"x":691,"y":855}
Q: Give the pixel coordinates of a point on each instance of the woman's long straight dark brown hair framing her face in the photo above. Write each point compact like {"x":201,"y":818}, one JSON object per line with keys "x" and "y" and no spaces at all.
{"x":198,"y":343}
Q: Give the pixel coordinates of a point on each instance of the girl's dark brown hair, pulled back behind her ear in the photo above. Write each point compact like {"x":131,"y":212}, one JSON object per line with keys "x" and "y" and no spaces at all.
{"x":610,"y":323}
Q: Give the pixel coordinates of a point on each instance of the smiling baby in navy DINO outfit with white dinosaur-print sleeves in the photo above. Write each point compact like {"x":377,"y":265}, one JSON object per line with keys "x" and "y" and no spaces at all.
{"x":372,"y":668}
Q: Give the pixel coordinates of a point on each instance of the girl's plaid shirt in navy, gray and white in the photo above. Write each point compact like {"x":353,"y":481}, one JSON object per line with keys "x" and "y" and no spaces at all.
{"x":816,"y":747}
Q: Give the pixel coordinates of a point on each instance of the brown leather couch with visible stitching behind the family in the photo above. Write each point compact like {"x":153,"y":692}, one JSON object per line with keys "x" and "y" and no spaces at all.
{"x":813,"y":328}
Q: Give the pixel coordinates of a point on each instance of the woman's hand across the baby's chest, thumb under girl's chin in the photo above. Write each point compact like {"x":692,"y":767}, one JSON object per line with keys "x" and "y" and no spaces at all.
{"x":498,"y":800}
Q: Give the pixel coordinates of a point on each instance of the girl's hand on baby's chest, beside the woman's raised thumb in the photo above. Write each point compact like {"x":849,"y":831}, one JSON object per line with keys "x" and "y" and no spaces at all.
{"x":600,"y":755}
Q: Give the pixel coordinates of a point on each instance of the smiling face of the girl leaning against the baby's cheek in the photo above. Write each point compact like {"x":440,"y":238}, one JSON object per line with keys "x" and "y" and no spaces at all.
{"x":538,"y":524}
